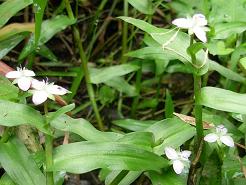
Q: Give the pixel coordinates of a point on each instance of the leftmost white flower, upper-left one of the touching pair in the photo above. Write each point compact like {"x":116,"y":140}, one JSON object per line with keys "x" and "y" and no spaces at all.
{"x":23,"y":77}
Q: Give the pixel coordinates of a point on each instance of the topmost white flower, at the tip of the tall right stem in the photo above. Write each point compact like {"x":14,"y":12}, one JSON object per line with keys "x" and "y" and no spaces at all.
{"x":196,"y":24}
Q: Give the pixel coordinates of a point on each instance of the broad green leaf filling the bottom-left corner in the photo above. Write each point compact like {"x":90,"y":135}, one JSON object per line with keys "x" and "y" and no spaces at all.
{"x":19,"y":165}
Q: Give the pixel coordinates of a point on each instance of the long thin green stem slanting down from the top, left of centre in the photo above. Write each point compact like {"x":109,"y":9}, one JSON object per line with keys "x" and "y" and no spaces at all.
{"x":84,"y":69}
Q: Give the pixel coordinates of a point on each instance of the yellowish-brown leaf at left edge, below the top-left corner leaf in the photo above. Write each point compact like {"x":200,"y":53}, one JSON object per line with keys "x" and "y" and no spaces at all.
{"x":14,"y":29}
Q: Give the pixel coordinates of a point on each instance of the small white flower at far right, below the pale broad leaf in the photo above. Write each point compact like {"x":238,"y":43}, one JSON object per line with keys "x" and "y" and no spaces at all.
{"x":220,"y":136}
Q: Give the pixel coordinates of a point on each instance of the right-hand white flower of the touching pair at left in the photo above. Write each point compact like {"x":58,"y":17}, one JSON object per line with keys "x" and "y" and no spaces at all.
{"x":43,"y":90}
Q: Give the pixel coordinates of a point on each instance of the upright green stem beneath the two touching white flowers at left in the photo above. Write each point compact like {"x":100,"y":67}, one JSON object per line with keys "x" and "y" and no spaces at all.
{"x":48,"y":152}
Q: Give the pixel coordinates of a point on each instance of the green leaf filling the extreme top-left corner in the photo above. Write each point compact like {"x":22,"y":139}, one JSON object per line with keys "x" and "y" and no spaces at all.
{"x":10,"y":7}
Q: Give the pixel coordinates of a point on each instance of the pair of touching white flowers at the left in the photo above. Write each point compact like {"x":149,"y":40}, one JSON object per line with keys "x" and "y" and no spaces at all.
{"x":41,"y":90}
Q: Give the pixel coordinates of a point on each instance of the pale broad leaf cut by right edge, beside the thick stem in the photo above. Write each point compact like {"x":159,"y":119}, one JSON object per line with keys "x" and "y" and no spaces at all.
{"x":223,"y":100}
